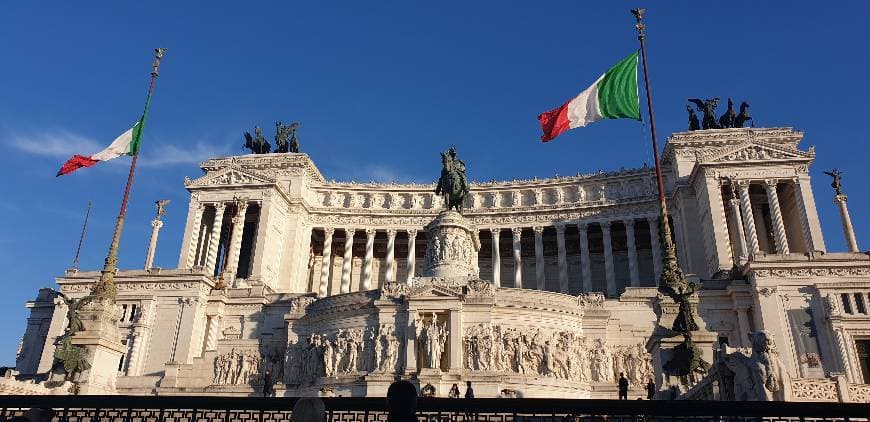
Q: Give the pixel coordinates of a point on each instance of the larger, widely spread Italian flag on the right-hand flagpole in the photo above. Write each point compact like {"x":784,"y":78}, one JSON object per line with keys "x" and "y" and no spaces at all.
{"x":612,"y":96}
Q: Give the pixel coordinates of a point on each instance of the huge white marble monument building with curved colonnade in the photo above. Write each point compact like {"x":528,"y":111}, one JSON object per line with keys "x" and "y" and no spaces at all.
{"x":324,"y":280}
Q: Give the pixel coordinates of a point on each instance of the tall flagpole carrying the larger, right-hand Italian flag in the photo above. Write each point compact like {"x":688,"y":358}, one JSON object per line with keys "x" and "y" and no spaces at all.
{"x":671,"y":273}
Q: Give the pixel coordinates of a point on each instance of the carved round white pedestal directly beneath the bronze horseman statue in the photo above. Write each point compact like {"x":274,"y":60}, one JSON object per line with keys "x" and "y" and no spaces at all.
{"x":452,"y":247}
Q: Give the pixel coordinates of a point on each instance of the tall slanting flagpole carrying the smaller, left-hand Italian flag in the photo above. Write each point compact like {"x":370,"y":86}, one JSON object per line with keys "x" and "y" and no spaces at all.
{"x":105,"y":288}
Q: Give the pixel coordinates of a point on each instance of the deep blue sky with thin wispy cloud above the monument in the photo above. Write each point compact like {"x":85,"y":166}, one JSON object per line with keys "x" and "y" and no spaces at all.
{"x":380,"y":88}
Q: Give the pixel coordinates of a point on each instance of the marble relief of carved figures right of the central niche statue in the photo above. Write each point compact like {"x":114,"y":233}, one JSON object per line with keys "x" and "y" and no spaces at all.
{"x":561,"y":354}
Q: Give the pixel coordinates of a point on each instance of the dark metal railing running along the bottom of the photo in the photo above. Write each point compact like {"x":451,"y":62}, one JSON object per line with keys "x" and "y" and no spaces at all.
{"x":254,"y":409}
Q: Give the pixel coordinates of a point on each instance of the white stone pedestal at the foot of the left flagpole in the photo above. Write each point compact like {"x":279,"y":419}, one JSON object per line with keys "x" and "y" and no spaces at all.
{"x":102,"y":344}
